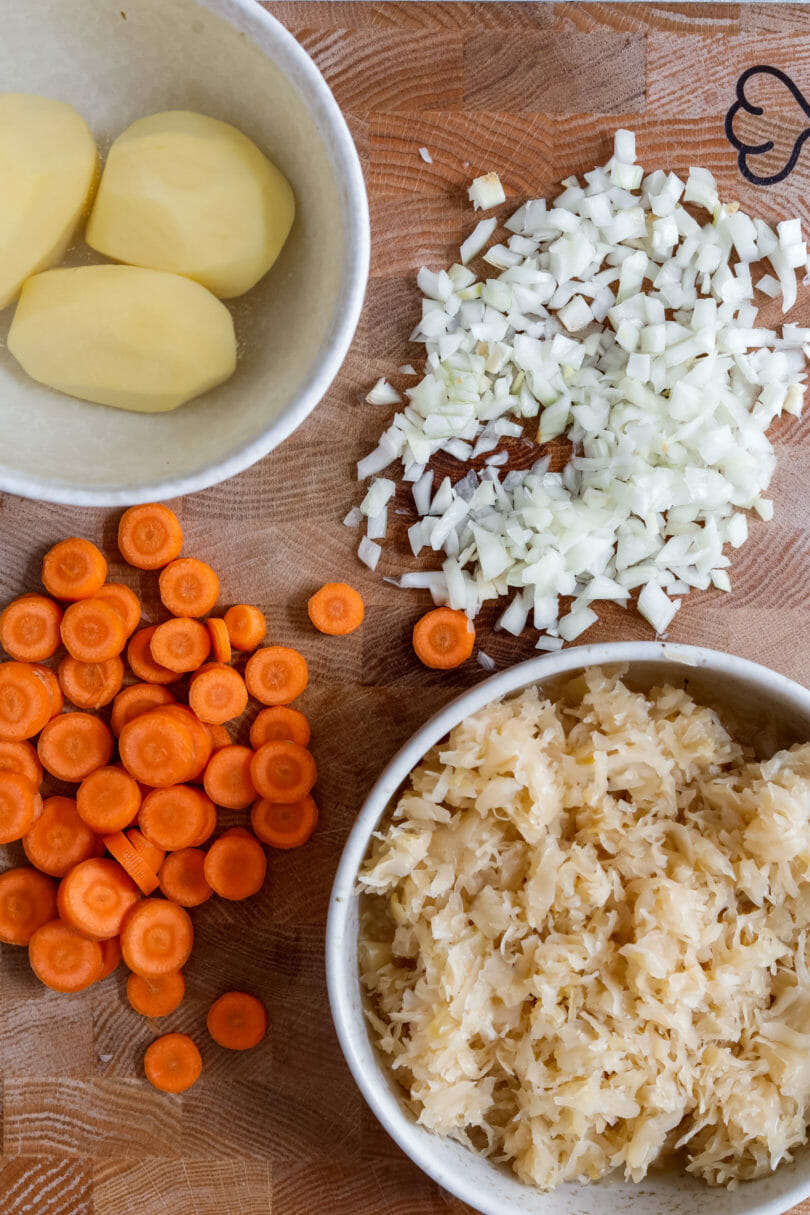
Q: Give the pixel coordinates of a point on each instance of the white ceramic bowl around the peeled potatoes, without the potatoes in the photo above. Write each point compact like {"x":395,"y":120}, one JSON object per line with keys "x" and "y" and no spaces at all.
{"x":117,"y":61}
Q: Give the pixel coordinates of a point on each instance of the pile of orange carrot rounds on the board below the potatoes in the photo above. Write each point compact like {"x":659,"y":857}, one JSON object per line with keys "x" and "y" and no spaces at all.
{"x":117,"y":866}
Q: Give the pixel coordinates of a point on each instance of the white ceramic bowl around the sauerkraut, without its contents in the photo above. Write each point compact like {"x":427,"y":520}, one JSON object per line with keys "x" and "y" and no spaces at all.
{"x":771,"y":711}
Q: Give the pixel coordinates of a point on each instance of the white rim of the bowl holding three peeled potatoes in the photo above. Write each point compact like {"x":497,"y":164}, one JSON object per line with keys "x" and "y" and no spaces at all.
{"x":252,"y":20}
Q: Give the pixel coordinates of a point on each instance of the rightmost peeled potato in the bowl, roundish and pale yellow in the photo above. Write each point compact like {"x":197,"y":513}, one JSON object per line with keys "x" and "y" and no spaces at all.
{"x":195,"y":196}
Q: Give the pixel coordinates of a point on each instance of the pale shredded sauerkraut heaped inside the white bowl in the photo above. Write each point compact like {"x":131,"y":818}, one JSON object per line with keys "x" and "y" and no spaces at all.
{"x":584,"y":939}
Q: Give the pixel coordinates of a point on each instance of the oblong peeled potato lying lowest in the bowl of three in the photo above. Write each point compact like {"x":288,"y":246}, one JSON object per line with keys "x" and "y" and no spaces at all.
{"x":121,"y":336}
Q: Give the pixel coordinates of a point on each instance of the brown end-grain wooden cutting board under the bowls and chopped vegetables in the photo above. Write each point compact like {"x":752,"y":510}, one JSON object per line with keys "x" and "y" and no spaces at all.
{"x":534,"y":93}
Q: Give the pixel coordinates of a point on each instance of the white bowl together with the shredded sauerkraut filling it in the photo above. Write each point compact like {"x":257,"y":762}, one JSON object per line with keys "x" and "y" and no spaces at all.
{"x":568,"y":948}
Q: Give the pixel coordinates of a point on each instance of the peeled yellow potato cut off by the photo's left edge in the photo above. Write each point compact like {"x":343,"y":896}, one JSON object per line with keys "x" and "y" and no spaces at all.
{"x":49,"y":167}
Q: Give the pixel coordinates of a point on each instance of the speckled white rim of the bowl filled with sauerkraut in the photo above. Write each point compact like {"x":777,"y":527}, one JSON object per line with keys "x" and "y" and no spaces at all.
{"x":386,"y":1107}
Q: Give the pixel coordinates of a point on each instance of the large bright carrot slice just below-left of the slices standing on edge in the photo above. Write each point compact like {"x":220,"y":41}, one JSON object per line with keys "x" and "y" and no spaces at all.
{"x":97,"y":896}
